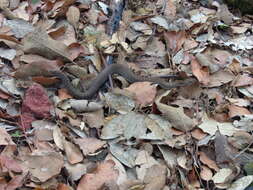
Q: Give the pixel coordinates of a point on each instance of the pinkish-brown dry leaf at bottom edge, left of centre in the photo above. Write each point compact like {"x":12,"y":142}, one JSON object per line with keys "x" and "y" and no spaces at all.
{"x":104,"y":173}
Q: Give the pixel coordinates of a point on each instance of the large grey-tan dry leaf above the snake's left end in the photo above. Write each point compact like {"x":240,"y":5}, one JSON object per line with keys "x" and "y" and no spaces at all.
{"x":39,"y":42}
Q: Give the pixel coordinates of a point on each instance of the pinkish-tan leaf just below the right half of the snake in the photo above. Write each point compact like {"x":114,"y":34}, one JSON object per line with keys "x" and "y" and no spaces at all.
{"x":144,"y":92}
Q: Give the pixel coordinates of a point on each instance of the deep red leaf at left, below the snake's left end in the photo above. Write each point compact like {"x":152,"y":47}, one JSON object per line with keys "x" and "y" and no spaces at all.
{"x":36,"y":105}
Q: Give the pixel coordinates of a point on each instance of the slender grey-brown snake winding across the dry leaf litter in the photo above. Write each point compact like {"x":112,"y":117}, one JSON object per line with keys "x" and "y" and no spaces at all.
{"x":103,"y":76}
